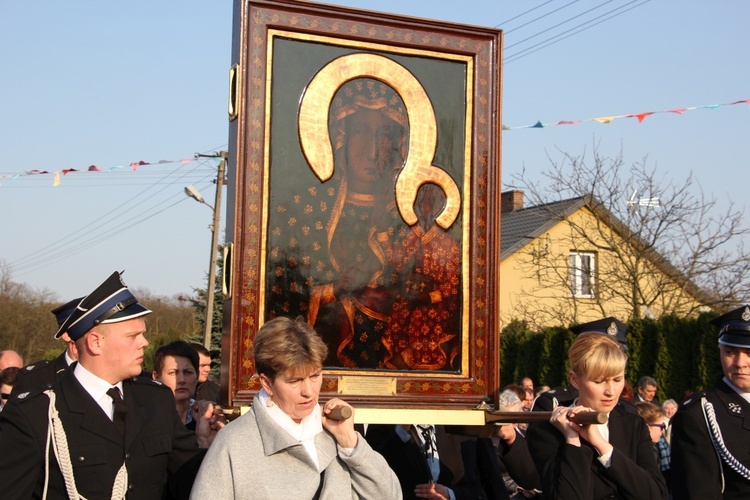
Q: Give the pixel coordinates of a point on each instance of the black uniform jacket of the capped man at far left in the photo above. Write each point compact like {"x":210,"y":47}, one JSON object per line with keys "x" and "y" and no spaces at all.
{"x":156,"y":442}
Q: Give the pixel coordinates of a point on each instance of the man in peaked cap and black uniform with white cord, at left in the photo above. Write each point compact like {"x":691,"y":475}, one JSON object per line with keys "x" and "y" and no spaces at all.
{"x":110,"y":432}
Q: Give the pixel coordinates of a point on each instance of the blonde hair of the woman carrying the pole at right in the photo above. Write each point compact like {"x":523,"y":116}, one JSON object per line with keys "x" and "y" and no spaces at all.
{"x":595,"y":356}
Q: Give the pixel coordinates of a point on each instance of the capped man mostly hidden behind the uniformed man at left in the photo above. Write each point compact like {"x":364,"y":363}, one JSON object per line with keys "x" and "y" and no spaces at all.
{"x":45,"y":372}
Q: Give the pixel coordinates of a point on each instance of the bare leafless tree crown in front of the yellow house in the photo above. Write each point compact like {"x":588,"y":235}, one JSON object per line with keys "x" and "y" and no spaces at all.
{"x":663,"y":246}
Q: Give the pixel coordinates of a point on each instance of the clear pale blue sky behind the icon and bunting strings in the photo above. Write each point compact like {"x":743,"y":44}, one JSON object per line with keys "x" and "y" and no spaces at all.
{"x":110,"y":84}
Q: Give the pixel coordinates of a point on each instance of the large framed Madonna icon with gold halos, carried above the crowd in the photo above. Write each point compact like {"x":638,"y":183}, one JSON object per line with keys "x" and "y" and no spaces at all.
{"x":364,"y":181}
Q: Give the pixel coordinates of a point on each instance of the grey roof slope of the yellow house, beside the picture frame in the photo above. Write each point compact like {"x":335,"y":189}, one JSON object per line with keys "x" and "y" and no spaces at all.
{"x":521,"y":227}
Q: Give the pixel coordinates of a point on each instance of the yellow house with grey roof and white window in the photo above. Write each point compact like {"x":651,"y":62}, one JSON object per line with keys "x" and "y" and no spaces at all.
{"x":573,"y":261}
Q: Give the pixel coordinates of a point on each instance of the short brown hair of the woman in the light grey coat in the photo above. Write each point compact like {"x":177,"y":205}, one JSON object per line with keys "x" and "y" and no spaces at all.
{"x":284,"y":344}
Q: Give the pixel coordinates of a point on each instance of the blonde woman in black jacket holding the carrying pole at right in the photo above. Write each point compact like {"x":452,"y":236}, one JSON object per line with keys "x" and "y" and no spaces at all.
{"x":612,"y":460}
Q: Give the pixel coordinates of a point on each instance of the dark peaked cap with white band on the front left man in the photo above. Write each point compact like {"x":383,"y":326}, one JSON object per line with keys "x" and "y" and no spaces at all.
{"x":111,"y":302}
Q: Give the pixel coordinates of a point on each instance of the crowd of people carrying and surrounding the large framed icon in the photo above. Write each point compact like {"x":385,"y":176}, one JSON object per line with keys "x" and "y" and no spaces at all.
{"x":92,"y":424}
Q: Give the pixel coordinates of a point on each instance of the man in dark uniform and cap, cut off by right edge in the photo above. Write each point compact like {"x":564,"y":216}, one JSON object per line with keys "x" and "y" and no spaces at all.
{"x":711,"y":430}
